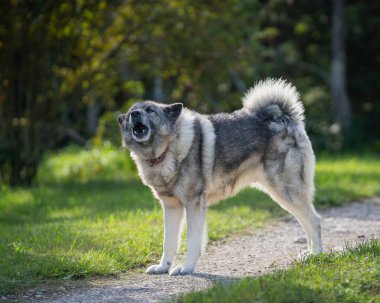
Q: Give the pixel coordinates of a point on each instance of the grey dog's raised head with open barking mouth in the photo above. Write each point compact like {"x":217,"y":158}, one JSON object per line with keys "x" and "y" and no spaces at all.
{"x":148,"y":127}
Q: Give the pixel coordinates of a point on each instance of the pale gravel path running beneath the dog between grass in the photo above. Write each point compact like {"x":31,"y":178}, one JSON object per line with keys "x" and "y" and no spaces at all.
{"x":258,"y":253}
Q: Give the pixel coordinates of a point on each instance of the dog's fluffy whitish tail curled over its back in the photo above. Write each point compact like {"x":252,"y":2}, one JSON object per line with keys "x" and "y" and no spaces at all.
{"x":275,"y":92}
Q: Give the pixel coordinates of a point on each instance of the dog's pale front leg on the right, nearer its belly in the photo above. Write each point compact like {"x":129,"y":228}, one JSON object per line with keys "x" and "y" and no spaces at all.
{"x":196,"y":236}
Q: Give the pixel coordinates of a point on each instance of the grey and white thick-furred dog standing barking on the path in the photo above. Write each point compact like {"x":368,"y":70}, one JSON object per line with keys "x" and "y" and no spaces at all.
{"x":191,"y":161}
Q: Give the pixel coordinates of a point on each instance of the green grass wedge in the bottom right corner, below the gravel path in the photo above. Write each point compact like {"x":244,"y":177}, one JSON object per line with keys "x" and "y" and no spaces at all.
{"x":352,"y":276}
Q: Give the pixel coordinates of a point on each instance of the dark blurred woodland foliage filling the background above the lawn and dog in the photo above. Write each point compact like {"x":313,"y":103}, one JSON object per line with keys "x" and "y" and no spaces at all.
{"x":63,"y":60}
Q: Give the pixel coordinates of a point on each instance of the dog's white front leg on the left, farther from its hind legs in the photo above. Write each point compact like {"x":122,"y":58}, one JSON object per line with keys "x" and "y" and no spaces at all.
{"x":173,"y":218}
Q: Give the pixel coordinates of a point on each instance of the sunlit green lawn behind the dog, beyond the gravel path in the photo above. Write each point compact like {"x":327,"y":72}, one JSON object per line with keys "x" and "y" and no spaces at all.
{"x":90,"y":215}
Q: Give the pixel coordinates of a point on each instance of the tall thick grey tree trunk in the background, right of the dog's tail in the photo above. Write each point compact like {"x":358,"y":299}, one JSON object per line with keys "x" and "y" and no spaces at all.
{"x":339,"y":93}
